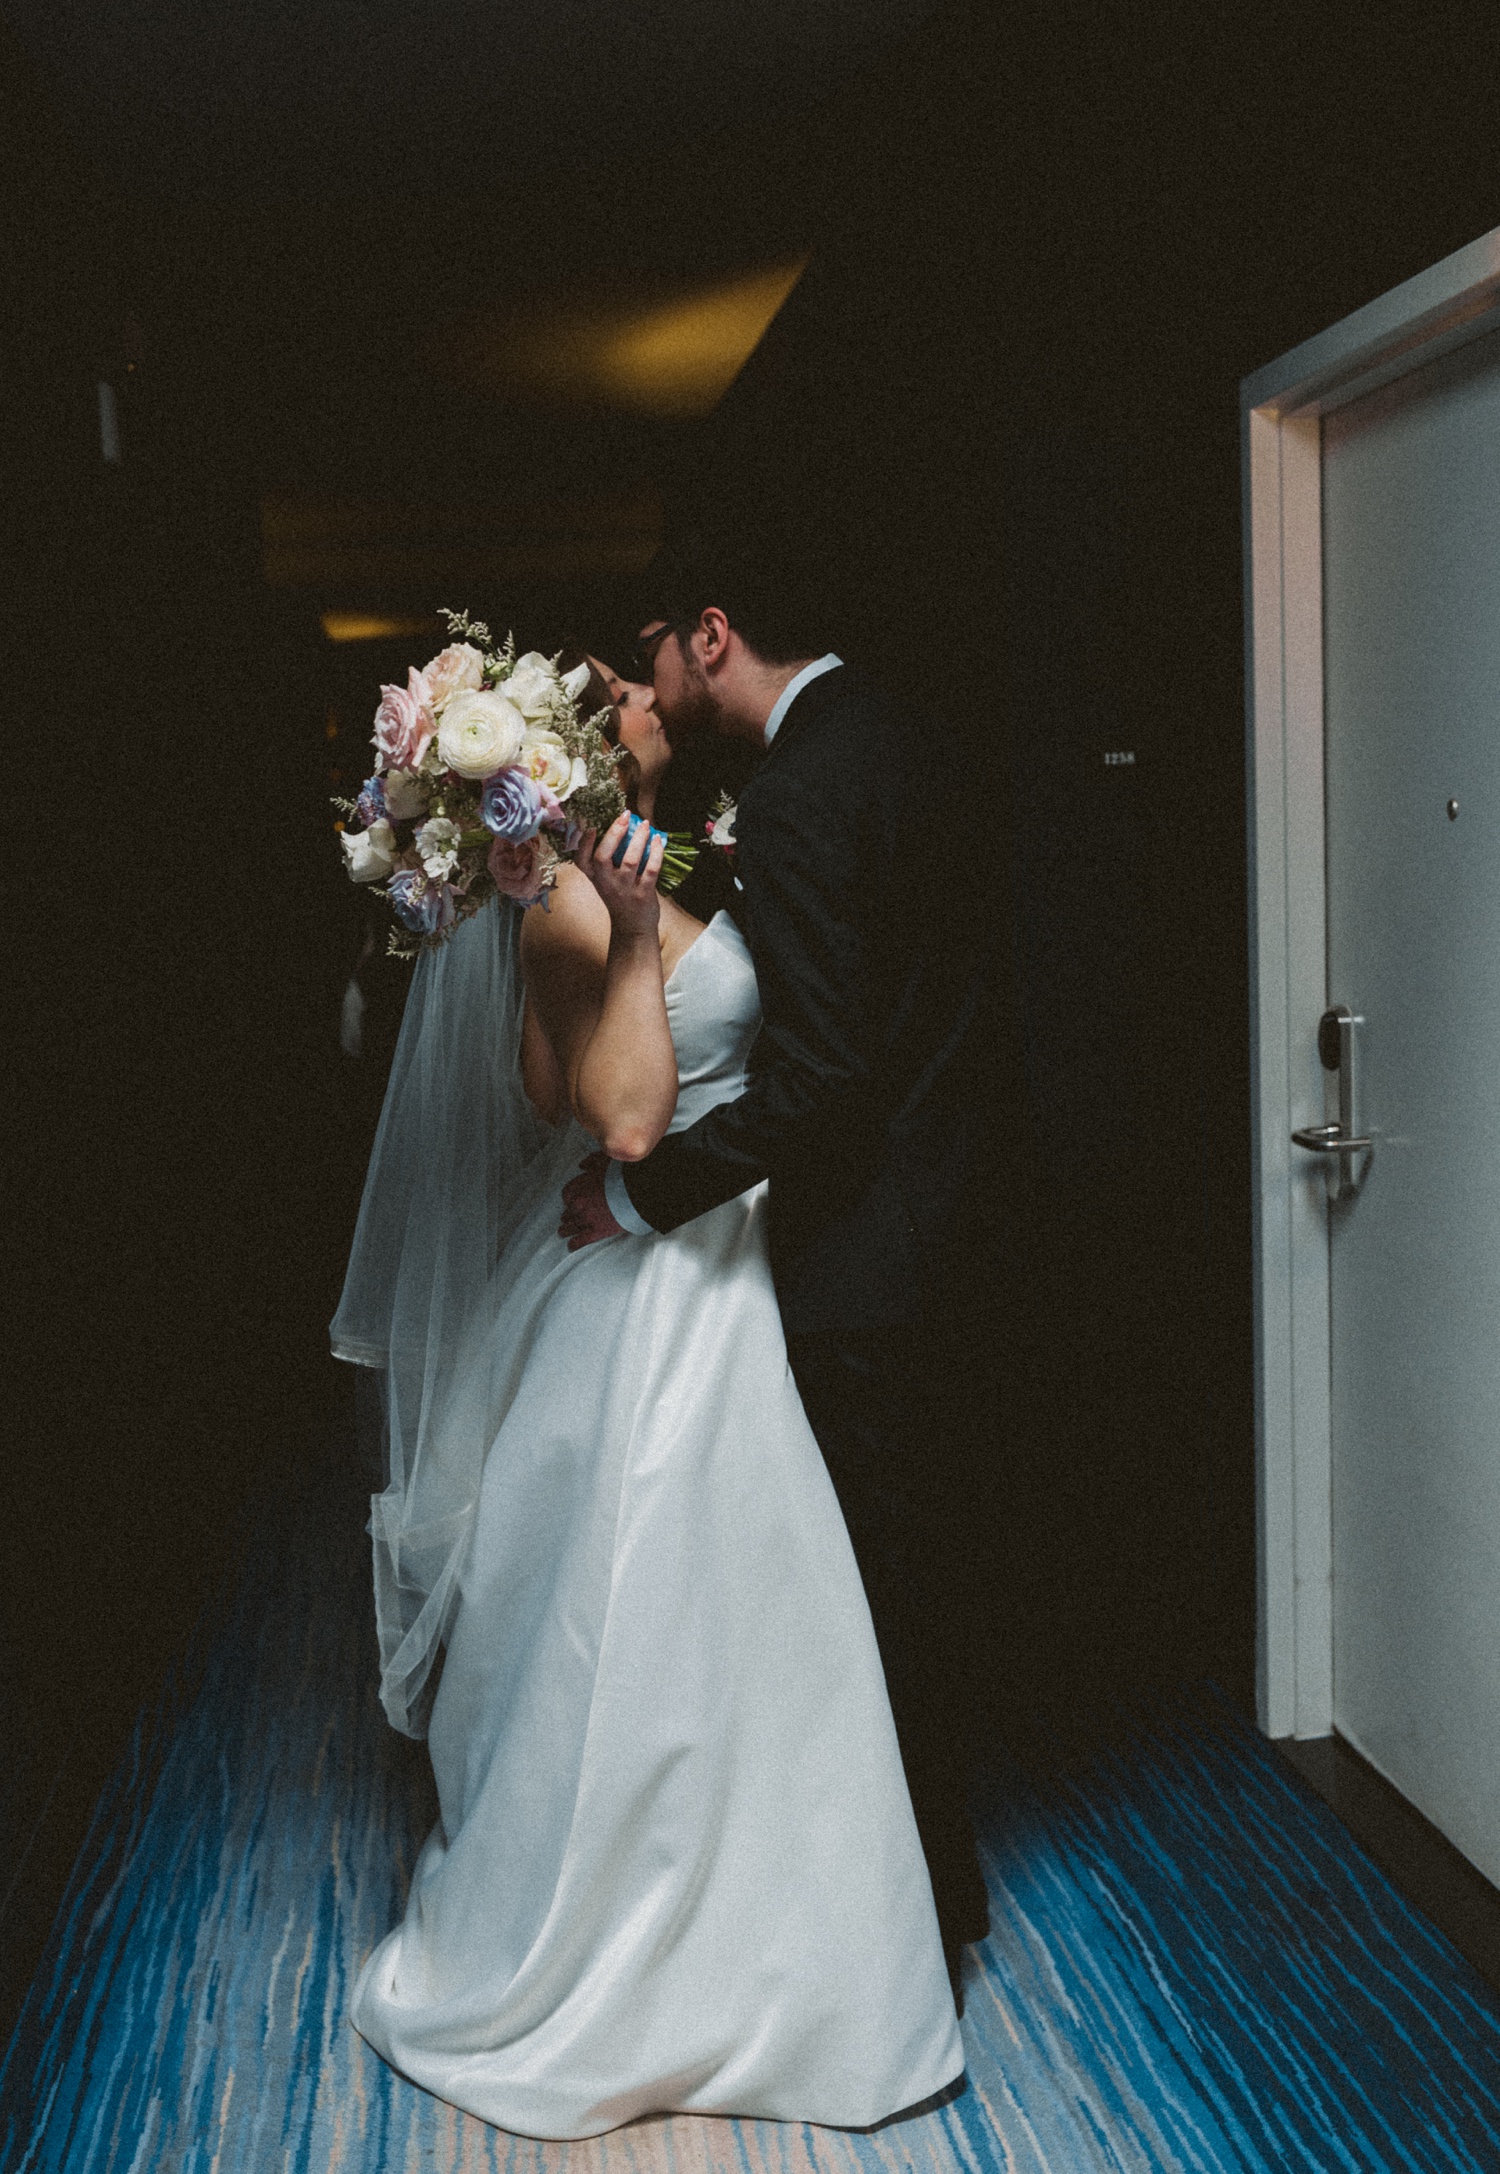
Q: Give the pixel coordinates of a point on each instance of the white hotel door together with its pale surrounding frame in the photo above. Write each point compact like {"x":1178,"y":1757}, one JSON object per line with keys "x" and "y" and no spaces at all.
{"x":1390,"y":655}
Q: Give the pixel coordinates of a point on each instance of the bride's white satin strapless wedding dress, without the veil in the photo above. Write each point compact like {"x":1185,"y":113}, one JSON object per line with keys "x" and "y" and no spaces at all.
{"x":675,"y":1866}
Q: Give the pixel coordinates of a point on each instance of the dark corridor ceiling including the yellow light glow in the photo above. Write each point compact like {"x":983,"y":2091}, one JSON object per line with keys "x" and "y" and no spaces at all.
{"x":471,"y":277}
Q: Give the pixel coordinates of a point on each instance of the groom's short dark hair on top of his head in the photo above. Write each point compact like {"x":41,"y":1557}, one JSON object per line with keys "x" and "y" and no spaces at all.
{"x":753,"y":579}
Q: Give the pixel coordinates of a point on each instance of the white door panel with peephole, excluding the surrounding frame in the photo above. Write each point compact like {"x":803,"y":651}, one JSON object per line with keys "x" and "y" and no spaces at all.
{"x":1412,"y":690}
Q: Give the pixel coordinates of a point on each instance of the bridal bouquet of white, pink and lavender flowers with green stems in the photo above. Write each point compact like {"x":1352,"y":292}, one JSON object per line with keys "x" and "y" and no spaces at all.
{"x":486,"y":779}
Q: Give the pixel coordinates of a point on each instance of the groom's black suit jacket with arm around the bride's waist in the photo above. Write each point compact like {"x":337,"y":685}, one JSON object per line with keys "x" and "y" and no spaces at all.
{"x":884,"y":1075}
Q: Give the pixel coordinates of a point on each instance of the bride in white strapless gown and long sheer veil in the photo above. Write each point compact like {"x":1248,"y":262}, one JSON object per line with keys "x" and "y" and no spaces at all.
{"x":675,"y":1864}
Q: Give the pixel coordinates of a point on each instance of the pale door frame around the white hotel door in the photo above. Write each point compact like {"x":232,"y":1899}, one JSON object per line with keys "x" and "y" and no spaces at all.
{"x":1282,"y":412}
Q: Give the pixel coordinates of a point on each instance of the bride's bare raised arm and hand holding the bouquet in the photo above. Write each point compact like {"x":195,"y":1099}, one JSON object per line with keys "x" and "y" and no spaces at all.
{"x":592,"y":969}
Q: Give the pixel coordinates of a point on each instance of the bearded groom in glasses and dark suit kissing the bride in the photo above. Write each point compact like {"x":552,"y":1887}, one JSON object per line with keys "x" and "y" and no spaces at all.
{"x":873,"y":1108}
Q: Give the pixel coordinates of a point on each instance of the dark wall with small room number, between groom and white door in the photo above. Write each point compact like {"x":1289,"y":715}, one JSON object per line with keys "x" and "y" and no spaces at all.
{"x":1001,"y":421}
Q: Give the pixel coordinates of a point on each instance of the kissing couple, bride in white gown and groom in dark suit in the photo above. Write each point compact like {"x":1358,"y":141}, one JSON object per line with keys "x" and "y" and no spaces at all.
{"x":699,"y":1560}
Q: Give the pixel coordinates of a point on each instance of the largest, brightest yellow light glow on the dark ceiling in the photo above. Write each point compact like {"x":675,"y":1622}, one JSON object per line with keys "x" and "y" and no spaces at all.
{"x":662,"y":358}
